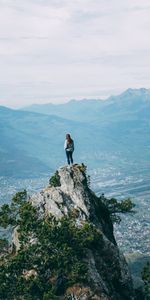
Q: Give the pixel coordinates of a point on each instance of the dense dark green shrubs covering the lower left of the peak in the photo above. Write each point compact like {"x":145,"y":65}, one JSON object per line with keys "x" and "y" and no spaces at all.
{"x":56,"y":258}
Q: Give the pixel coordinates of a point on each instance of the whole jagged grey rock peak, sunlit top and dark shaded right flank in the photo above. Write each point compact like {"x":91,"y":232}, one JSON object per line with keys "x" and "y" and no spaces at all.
{"x":107,"y":268}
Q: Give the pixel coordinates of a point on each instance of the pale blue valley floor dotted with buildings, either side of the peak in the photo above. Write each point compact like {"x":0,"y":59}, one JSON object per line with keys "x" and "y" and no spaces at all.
{"x":133,"y":233}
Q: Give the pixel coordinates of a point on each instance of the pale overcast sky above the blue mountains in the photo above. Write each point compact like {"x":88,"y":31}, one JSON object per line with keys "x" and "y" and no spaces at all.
{"x":57,"y":50}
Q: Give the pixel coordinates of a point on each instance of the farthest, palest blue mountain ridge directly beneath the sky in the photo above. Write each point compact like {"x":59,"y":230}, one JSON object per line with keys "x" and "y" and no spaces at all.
{"x":90,"y":110}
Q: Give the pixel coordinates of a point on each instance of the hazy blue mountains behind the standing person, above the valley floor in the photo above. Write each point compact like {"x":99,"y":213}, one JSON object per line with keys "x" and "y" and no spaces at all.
{"x":111,"y":131}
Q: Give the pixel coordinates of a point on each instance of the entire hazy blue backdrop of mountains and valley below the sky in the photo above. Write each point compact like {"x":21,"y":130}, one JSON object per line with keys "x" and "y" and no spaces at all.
{"x":111,"y":138}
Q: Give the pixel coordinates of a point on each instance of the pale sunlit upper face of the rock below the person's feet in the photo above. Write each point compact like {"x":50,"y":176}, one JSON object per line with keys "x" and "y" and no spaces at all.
{"x":71,"y":194}
